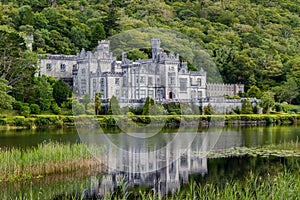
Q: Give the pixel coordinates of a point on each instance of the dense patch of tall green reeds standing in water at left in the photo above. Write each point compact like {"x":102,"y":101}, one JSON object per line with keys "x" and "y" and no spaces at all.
{"x":19,"y":164}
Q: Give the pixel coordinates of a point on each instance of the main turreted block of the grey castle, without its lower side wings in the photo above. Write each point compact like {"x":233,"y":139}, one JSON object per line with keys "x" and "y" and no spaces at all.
{"x":161,"y":77}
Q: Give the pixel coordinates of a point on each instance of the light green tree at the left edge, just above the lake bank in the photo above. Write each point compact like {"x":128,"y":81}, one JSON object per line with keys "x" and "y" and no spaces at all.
{"x":5,"y":99}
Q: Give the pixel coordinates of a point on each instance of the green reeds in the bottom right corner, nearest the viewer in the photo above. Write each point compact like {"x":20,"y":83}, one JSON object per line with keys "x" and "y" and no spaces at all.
{"x":283,"y":185}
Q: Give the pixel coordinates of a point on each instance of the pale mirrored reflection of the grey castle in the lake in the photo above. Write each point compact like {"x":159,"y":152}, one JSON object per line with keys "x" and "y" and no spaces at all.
{"x":165,"y":168}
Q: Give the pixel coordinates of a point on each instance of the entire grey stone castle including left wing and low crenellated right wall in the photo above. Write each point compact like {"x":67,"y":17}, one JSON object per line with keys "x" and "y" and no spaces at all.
{"x":163,"y":77}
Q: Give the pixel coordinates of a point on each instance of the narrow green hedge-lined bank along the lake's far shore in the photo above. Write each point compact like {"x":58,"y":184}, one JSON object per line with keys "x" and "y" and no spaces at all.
{"x":37,"y":121}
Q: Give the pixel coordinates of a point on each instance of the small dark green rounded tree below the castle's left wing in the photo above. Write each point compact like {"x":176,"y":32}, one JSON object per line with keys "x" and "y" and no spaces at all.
{"x":61,"y":91}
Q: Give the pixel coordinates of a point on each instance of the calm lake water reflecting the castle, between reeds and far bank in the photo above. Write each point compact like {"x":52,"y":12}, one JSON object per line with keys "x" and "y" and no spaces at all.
{"x":163,"y":162}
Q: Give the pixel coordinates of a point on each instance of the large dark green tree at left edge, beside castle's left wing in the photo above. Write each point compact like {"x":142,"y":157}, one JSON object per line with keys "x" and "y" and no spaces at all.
{"x":17,"y":64}
